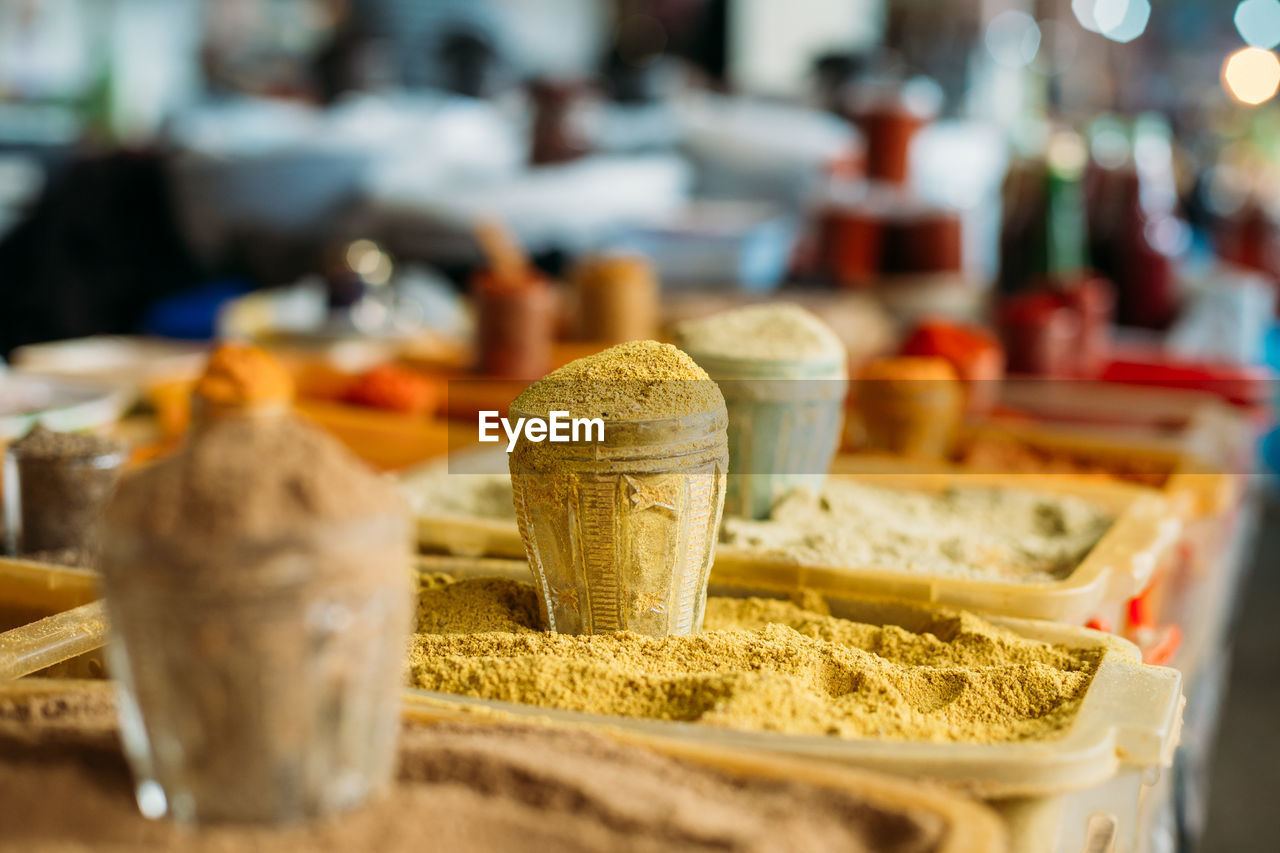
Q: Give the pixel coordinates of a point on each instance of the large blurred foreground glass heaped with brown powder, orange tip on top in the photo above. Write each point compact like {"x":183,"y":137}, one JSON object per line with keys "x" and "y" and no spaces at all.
{"x":258,"y":587}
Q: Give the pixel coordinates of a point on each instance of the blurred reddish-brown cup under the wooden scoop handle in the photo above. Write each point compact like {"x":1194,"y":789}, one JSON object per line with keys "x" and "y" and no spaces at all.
{"x":515,"y":326}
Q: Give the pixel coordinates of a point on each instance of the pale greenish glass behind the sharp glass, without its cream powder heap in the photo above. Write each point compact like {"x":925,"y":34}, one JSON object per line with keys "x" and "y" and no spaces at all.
{"x":785,"y":422}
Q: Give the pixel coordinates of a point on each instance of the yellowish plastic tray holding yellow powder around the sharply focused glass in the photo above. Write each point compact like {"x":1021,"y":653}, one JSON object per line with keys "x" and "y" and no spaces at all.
{"x":1057,"y":796}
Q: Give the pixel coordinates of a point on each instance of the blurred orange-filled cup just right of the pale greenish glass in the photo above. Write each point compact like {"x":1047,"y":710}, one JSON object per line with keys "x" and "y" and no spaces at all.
{"x":911,"y":407}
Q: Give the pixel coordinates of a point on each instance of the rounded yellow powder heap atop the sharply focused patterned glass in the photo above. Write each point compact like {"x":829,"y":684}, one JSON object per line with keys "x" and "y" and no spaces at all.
{"x":638,"y":381}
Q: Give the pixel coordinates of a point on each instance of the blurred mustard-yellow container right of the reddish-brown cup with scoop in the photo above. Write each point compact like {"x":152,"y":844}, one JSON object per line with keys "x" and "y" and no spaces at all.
{"x":618,"y":299}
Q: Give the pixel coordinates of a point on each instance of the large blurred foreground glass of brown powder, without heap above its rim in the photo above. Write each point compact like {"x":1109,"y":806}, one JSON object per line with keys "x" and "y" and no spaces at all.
{"x":260,"y":681}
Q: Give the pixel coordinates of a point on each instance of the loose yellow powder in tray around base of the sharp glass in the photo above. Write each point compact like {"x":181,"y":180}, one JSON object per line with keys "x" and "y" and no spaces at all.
{"x":758,"y":665}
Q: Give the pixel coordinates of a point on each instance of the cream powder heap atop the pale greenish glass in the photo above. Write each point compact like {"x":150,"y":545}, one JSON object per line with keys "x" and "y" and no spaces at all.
{"x":762,"y":332}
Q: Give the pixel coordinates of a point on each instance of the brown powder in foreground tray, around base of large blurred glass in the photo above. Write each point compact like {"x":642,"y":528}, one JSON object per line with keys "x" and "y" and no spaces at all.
{"x":465,"y":788}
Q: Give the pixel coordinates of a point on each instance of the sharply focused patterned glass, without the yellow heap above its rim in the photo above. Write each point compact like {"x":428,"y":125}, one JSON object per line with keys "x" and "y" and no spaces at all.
{"x":620,"y":535}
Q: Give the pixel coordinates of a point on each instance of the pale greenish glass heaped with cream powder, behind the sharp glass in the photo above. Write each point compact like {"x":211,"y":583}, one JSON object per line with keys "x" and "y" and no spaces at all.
{"x":784,"y":377}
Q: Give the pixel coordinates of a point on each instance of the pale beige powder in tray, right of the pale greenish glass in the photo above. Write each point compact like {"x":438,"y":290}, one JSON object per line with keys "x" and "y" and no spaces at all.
{"x":980,"y":533}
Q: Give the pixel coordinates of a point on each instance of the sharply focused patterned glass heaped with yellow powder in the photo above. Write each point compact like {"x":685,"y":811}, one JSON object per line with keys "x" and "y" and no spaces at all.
{"x":621,"y":524}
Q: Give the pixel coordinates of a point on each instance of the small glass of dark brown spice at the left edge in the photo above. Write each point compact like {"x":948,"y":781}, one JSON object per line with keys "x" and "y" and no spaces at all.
{"x":54,"y":487}
